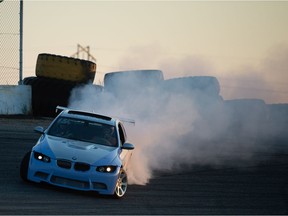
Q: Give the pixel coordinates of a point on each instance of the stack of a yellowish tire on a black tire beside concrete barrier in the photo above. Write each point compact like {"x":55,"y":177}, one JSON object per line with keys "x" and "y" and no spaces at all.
{"x":56,"y":76}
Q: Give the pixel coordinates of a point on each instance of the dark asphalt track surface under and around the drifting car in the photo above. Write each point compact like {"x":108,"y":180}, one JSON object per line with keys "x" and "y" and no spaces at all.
{"x":254,"y":188}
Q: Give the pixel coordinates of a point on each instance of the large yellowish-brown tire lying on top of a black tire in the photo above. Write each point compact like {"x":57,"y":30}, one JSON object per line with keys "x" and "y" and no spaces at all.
{"x":65,"y":68}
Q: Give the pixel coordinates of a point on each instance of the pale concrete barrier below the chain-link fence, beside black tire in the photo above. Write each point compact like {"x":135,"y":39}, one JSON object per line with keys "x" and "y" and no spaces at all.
{"x":15,"y":100}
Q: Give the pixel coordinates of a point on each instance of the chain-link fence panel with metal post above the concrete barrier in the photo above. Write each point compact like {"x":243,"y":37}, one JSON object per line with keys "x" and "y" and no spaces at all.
{"x":9,"y":41}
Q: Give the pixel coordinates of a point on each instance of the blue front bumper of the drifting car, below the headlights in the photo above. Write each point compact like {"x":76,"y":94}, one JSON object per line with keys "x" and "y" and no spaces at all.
{"x":89,"y":180}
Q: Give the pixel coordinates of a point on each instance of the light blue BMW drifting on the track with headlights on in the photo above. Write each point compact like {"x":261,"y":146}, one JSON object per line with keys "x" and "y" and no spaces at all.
{"x":82,"y":151}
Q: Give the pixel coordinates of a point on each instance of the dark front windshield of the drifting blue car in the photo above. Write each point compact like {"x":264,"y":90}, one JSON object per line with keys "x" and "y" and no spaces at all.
{"x":83,"y":130}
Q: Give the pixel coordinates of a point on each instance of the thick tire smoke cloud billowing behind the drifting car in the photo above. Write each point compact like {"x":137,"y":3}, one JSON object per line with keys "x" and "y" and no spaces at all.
{"x":179,"y":122}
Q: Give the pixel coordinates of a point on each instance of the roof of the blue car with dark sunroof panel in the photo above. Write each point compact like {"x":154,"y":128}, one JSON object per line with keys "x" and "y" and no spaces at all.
{"x":84,"y":115}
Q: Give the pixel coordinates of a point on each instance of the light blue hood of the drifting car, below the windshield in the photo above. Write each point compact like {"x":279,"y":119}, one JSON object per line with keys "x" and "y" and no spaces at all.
{"x":78,"y":151}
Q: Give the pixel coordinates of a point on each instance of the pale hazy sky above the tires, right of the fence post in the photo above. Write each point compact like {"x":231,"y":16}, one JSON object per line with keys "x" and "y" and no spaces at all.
{"x":242,"y":43}
